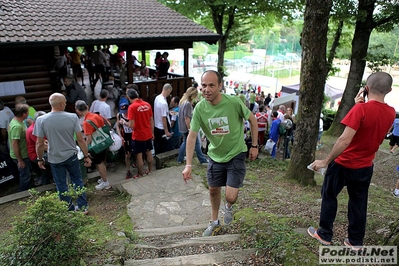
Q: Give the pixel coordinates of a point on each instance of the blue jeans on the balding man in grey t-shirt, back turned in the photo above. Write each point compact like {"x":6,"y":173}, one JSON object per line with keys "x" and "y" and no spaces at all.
{"x":59,"y":171}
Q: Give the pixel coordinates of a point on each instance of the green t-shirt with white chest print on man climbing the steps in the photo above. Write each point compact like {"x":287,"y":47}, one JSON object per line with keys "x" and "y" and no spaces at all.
{"x":223,"y":125}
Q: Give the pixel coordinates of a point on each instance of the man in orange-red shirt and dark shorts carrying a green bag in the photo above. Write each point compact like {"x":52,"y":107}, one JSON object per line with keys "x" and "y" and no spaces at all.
{"x":97,"y":158}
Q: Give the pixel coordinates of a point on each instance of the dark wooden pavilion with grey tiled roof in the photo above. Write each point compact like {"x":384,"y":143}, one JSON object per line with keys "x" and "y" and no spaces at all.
{"x":30,"y":30}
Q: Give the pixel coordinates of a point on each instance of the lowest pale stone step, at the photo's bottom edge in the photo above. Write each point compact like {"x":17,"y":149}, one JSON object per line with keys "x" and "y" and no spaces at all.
{"x":200,"y":259}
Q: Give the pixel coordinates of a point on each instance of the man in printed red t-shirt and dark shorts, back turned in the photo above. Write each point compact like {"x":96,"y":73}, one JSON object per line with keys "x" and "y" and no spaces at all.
{"x":142,"y":122}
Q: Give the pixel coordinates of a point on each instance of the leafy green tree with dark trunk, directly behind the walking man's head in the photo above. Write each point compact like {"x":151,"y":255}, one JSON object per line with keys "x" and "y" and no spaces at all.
{"x":233,"y":19}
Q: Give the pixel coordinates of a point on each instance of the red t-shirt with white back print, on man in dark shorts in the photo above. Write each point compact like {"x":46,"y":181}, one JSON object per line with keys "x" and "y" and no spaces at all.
{"x":140,"y":112}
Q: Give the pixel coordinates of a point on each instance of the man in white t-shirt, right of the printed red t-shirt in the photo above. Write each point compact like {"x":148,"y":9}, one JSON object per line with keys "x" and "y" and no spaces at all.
{"x":161,"y":120}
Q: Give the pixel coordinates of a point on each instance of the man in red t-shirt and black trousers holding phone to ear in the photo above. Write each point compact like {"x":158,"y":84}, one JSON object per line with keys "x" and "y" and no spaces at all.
{"x":350,"y":163}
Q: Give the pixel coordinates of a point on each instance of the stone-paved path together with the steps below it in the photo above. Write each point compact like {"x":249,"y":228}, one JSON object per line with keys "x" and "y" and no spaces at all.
{"x":169,"y":218}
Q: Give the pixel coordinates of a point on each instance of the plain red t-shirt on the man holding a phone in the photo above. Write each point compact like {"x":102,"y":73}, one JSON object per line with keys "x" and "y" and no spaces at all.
{"x":371,"y":121}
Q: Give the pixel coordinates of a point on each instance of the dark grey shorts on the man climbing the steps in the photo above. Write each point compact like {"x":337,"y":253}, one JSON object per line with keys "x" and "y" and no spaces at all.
{"x":229,"y":174}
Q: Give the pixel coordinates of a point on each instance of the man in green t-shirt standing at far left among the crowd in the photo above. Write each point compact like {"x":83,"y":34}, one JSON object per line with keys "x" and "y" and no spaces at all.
{"x":18,"y":148}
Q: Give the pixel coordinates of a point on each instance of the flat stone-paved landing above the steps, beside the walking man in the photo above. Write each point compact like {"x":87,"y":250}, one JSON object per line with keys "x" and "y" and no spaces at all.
{"x":162,"y":200}
